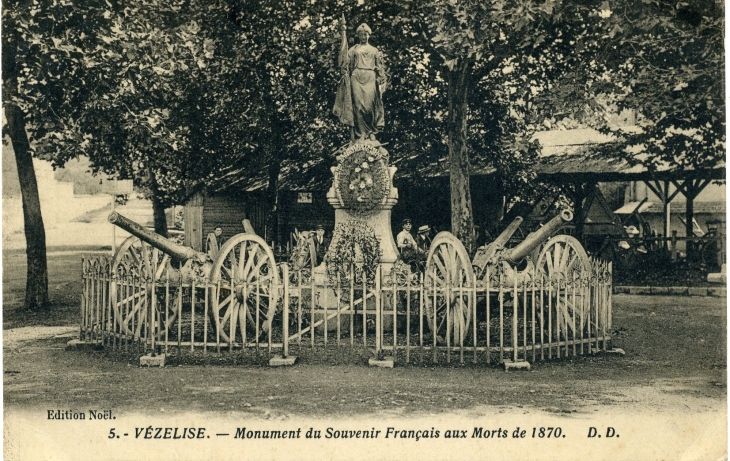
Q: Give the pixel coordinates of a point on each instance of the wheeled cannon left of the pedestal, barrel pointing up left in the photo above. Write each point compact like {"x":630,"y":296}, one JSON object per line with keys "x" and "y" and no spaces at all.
{"x":243,"y":280}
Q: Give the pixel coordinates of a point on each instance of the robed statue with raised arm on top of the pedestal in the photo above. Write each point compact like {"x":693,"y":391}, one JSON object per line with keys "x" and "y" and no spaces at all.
{"x":358,"y":102}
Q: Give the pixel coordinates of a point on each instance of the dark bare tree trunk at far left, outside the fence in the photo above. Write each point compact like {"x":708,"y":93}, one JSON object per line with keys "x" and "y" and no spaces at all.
{"x":36,"y":288}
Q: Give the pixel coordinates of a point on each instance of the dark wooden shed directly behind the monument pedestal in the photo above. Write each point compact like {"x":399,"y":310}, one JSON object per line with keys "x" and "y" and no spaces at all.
{"x":303,"y":208}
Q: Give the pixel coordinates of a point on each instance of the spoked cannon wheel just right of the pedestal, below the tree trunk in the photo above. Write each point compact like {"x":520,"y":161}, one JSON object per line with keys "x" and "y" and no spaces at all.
{"x":449,"y":278}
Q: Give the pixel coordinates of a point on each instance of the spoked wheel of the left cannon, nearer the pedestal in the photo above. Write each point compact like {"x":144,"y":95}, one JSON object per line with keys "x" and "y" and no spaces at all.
{"x":248,"y":279}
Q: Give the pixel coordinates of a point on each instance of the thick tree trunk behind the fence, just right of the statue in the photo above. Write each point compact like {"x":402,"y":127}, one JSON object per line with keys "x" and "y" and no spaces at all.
{"x":462,"y":218}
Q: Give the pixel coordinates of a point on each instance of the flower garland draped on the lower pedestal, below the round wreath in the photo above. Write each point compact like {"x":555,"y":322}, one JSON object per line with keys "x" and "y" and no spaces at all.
{"x":342,"y":254}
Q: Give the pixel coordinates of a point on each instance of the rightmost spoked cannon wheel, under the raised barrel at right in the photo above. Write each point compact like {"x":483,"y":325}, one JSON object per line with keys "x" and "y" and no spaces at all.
{"x":563,"y":262}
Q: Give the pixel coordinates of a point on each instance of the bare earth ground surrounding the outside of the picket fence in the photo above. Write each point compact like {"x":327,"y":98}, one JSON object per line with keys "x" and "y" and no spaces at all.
{"x":674,"y":345}
